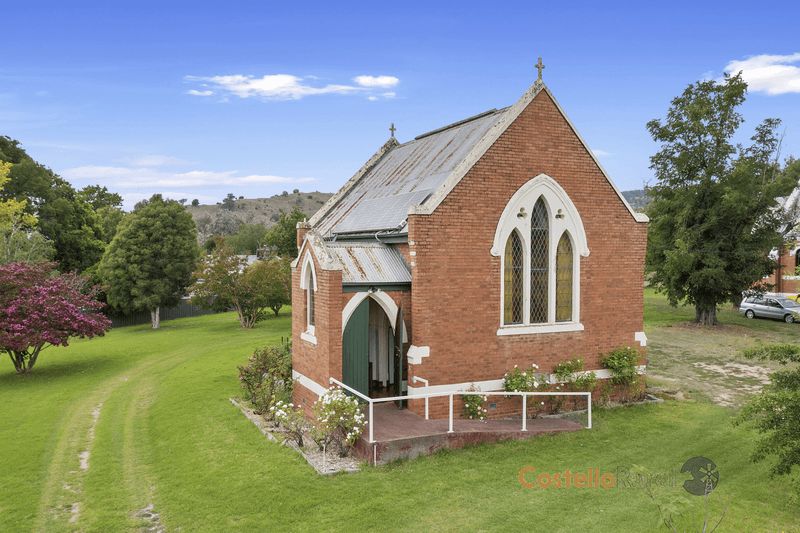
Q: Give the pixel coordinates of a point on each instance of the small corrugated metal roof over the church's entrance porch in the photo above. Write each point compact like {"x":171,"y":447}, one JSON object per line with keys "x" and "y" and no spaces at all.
{"x":370,"y":262}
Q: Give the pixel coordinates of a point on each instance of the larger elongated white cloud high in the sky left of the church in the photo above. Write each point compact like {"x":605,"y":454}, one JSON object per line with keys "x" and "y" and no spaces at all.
{"x":277,"y":86}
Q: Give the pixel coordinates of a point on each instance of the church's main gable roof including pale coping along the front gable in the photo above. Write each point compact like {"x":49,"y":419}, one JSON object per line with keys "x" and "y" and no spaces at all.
{"x":415,"y":177}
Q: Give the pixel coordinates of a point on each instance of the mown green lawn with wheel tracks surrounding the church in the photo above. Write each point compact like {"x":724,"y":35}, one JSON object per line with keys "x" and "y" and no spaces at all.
{"x":152,"y":410}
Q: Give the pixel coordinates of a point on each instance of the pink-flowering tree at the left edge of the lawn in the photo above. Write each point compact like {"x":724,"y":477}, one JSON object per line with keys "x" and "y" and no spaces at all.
{"x":39,"y":308}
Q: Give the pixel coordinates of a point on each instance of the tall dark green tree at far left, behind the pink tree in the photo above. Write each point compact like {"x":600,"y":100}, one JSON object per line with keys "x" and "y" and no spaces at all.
{"x":65,"y":218}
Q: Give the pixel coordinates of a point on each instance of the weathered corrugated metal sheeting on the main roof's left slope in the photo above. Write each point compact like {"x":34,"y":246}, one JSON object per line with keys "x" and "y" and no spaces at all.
{"x":419,"y":165}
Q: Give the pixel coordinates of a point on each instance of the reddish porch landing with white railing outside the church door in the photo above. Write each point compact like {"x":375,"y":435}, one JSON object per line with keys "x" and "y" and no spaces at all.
{"x":403,"y":434}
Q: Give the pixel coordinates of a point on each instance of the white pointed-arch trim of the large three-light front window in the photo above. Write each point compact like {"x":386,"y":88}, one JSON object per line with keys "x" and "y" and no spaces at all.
{"x":555,"y":199}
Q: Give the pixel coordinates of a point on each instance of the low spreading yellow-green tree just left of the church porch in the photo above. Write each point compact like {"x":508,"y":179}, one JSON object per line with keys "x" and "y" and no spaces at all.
{"x":223,"y":281}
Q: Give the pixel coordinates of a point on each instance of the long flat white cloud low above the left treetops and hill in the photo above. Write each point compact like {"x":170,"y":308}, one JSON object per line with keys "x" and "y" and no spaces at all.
{"x":140,"y":178}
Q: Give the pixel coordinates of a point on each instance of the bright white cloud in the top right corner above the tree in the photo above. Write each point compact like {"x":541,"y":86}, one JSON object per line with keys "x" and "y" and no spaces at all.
{"x":768,"y":73}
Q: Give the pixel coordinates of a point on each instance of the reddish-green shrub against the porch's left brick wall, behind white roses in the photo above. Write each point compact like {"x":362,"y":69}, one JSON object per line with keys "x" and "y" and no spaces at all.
{"x":267,"y":376}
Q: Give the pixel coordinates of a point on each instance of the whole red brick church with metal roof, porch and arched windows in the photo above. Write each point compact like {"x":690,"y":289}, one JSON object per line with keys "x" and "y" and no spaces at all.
{"x":446,"y":260}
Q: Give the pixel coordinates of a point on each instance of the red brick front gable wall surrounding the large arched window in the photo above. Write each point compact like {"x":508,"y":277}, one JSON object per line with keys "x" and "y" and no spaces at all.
{"x":457,"y":282}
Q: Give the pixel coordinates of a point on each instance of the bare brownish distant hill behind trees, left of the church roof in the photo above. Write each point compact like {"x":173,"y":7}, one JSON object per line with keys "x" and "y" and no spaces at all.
{"x":216,"y":220}
